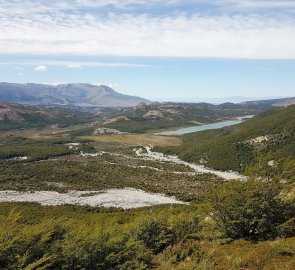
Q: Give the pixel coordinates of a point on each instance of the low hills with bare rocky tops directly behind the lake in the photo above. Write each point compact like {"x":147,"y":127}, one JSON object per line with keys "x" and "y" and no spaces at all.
{"x":151,"y":117}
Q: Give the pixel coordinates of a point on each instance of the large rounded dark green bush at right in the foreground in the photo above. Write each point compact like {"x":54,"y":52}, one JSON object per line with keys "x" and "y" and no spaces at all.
{"x":250,"y":210}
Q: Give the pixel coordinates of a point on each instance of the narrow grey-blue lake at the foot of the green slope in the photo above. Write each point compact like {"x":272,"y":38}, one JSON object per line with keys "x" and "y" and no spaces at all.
{"x":222,"y":124}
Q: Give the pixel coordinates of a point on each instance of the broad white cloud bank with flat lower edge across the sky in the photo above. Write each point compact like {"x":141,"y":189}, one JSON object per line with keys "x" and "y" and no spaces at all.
{"x":49,"y":30}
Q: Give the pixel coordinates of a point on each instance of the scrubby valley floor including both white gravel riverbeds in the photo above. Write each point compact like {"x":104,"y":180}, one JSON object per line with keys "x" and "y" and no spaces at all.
{"x":143,"y":165}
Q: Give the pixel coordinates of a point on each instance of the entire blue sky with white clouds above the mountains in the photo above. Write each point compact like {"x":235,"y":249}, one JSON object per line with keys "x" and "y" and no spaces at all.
{"x":185,"y":50}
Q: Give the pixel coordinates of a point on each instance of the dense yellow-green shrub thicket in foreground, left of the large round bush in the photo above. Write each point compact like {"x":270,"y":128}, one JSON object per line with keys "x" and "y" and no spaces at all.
{"x":70,"y":237}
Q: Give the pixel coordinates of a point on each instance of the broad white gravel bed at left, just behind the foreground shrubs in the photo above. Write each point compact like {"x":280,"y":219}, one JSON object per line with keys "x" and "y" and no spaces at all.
{"x":125,"y":198}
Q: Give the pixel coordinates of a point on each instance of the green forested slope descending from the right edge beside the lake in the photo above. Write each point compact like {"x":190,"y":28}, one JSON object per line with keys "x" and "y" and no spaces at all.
{"x":262,"y":146}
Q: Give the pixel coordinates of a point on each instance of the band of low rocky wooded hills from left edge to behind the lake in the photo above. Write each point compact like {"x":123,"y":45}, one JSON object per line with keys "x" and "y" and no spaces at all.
{"x":140,"y":118}
